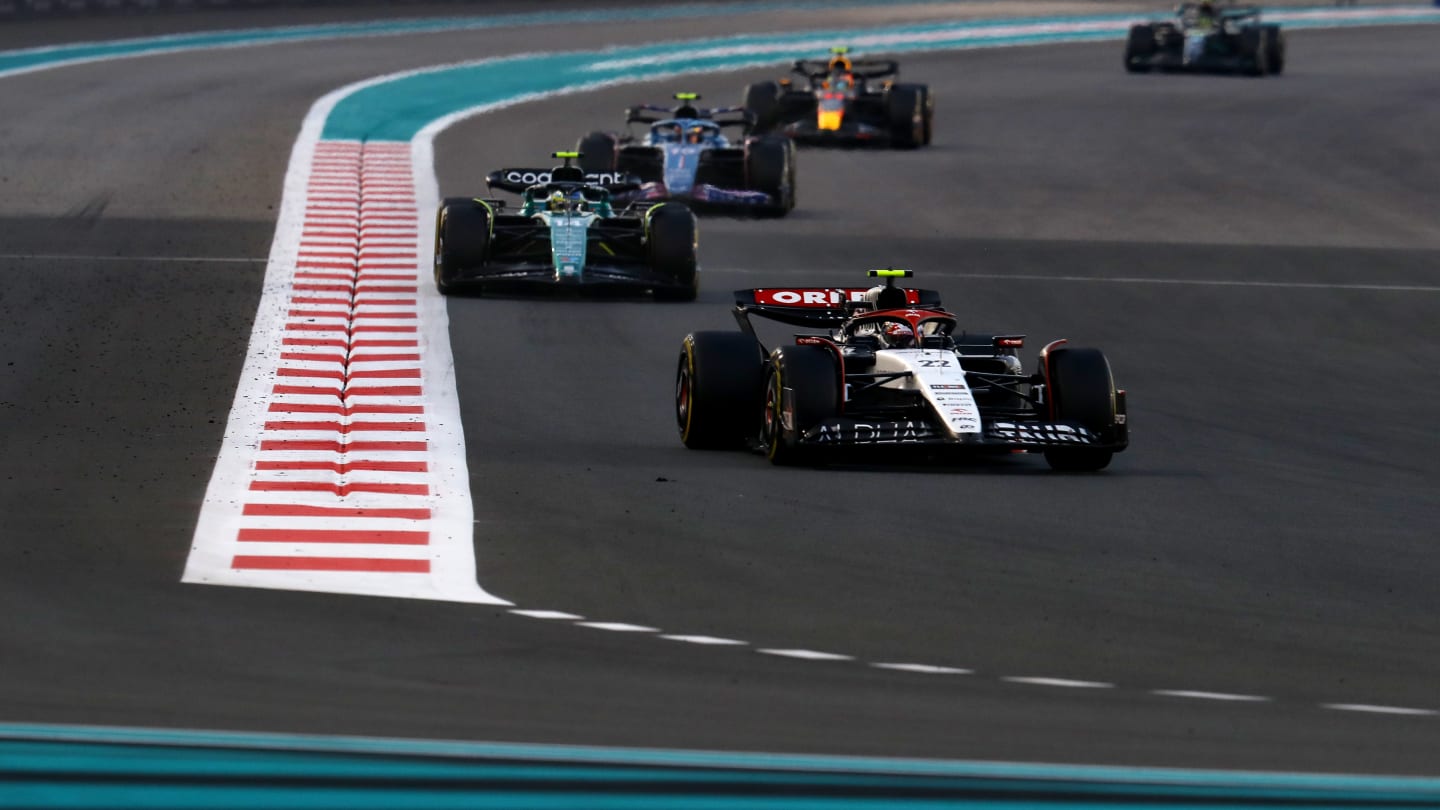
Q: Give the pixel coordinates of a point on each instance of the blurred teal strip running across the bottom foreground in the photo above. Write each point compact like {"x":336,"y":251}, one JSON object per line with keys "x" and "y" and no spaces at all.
{"x":1410,"y":789}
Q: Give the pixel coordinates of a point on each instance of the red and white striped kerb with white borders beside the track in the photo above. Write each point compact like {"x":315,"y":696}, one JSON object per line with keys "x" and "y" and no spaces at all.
{"x":339,"y":491}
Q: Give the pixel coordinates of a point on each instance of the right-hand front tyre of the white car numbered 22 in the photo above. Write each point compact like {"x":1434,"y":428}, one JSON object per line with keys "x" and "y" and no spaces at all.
{"x":1082,"y":391}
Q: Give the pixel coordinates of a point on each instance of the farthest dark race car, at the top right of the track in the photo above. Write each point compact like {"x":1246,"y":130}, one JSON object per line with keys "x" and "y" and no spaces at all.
{"x":1206,"y":38}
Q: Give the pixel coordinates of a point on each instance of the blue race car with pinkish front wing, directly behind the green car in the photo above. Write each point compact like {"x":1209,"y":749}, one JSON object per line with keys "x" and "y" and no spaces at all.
{"x":686,"y":156}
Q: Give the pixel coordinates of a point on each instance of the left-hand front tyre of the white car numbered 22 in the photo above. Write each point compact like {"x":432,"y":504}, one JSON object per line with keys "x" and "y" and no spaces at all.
{"x":814,"y":381}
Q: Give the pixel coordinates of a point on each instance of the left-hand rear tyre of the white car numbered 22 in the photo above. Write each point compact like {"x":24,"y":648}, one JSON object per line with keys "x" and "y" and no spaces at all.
{"x":719,"y":390}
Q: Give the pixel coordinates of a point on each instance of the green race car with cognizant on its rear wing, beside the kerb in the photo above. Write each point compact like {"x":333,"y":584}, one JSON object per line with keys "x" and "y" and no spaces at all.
{"x":565,"y":233}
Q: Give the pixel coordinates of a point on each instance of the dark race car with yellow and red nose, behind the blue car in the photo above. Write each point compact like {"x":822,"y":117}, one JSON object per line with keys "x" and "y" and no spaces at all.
{"x":845,"y":102}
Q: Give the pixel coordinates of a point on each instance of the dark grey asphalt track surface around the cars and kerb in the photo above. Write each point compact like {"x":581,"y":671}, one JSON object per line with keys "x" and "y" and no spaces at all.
{"x":1271,"y":533}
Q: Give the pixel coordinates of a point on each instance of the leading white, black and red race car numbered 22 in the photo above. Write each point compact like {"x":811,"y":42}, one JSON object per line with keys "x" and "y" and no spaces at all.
{"x":891,"y":371}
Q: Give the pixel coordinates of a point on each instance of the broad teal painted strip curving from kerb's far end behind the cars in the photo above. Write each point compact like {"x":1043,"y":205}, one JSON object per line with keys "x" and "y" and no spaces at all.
{"x":398,"y":107}
